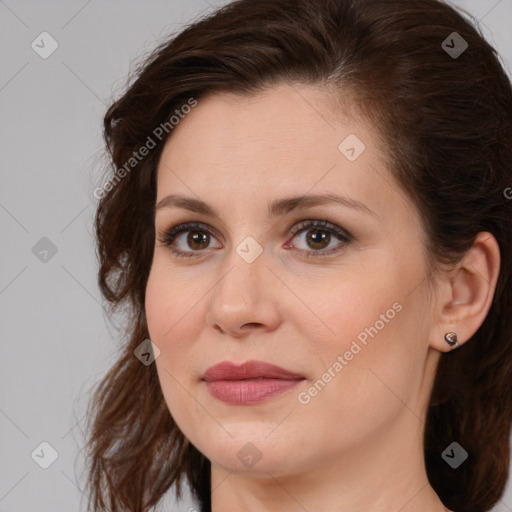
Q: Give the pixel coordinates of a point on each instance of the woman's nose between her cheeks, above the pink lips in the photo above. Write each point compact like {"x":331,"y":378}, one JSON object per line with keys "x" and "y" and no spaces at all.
{"x":245,"y":299}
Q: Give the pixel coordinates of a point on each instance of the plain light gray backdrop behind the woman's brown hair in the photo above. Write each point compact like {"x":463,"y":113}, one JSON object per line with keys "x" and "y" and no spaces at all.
{"x":56,"y":342}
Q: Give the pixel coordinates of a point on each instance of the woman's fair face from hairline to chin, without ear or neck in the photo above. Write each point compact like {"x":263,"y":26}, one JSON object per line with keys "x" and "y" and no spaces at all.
{"x":343,"y":305}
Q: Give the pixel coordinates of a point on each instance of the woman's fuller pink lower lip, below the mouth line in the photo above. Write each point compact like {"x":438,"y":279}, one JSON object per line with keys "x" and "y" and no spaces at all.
{"x":249,"y":391}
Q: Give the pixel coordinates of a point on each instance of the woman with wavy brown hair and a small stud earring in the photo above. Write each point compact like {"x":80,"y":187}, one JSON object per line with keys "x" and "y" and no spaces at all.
{"x":309,"y":227}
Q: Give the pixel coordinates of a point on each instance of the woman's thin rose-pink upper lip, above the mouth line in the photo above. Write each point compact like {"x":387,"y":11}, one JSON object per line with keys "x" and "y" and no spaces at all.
{"x":227,"y":370}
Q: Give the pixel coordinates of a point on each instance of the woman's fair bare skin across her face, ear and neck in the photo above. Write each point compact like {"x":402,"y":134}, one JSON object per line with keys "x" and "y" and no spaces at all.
{"x":357,"y":444}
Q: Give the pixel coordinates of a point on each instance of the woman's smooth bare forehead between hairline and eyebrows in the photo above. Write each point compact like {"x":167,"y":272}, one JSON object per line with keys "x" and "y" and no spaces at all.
{"x":284,"y":141}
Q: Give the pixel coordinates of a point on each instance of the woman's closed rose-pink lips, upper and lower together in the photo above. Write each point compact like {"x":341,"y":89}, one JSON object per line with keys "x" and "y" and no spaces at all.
{"x":249,"y":383}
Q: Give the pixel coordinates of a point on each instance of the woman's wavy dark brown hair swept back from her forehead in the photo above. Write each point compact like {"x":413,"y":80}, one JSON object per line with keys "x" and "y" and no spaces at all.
{"x":445,"y":123}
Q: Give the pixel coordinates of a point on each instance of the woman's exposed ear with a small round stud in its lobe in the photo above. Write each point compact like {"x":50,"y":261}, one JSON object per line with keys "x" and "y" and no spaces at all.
{"x":466,"y":292}
